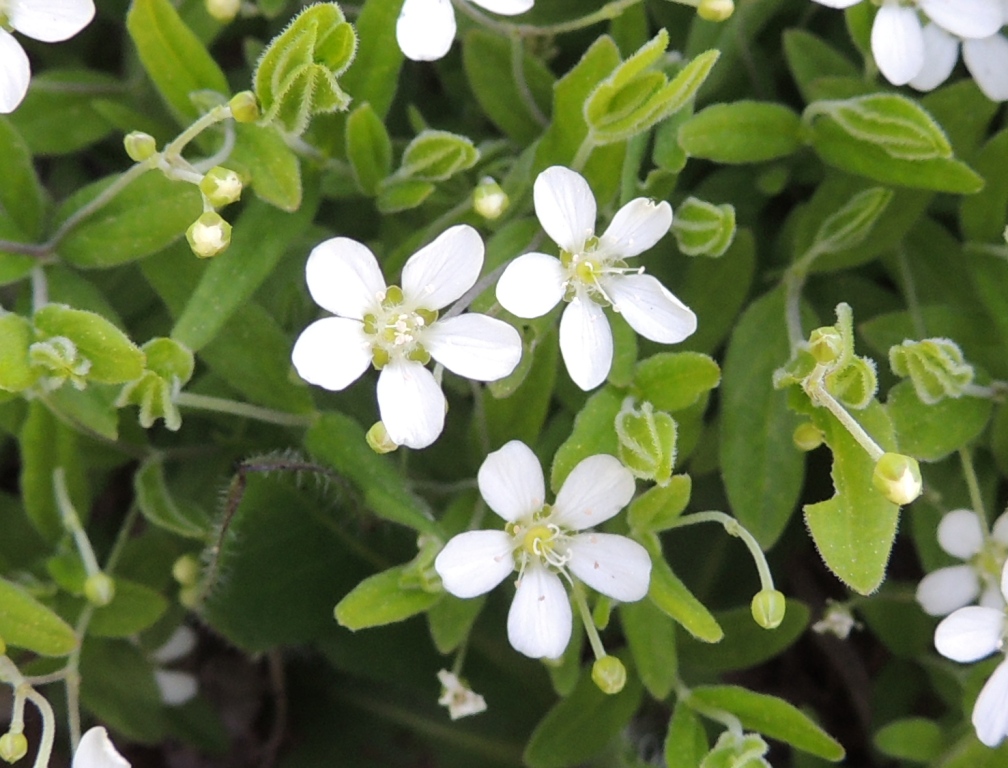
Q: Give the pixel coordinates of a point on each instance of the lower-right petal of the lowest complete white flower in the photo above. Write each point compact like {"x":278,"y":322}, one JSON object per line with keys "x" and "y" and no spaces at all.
{"x":614,"y":566}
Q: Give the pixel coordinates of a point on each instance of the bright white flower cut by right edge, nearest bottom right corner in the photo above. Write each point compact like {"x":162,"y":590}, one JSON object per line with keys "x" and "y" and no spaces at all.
{"x":970,"y":634}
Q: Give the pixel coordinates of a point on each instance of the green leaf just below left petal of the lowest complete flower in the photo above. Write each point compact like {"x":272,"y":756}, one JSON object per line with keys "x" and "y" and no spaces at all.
{"x":382,"y":600}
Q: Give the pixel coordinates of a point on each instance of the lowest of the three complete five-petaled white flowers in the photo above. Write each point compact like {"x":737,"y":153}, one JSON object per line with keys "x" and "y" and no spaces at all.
{"x":545,"y":543}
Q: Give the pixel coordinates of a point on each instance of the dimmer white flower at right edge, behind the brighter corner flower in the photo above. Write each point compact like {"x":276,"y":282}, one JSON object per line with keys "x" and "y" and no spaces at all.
{"x":961,"y":536}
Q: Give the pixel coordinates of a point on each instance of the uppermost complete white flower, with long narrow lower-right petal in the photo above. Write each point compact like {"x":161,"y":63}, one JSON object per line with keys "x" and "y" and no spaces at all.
{"x":590,"y":273}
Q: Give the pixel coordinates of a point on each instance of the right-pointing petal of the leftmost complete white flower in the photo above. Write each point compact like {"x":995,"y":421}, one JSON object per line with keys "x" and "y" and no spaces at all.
{"x":475,"y":346}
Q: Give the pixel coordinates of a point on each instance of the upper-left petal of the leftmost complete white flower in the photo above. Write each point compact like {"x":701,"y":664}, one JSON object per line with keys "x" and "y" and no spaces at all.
{"x":344,"y":278}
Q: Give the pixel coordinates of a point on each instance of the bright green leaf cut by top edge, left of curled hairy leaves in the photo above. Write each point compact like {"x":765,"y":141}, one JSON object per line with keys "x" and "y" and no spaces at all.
{"x":174,"y":58}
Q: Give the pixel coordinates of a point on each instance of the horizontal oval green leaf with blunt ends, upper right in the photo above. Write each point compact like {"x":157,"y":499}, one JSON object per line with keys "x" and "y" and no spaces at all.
{"x":741,"y":133}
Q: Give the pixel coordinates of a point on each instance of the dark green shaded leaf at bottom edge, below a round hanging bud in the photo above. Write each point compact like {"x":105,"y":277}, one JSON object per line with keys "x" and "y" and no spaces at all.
{"x":581,"y":726}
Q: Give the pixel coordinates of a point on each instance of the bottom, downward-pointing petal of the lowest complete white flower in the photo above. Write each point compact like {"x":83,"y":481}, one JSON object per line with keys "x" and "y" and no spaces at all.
{"x":539,"y":623}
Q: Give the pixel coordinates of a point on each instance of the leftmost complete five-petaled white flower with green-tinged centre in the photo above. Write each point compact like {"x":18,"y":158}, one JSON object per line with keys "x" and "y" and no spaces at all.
{"x":399,"y":331}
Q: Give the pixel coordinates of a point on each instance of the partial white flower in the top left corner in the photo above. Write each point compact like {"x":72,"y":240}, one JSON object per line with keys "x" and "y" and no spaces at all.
{"x":46,"y":21}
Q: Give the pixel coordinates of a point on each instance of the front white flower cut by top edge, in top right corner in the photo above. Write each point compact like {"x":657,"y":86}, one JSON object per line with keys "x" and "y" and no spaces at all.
{"x":900,"y":44}
